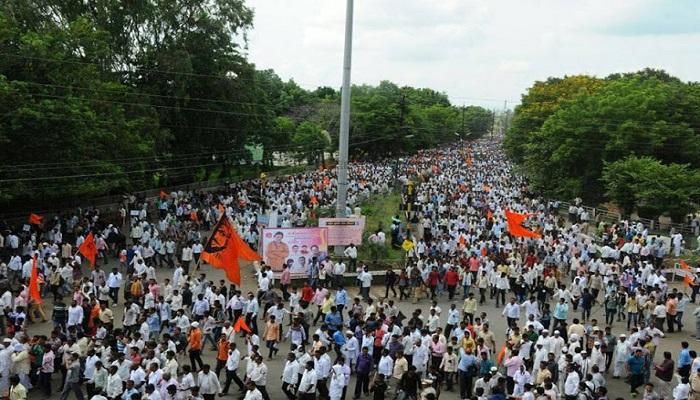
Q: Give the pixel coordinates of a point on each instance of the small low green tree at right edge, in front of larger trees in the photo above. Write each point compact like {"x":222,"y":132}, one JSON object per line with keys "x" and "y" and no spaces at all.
{"x":646,"y":185}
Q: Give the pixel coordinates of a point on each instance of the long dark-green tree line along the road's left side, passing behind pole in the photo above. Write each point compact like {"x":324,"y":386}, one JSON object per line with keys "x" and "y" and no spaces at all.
{"x":100,"y":98}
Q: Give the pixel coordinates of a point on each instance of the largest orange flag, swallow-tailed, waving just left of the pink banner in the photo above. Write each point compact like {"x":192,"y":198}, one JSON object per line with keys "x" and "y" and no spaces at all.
{"x":225,"y":247}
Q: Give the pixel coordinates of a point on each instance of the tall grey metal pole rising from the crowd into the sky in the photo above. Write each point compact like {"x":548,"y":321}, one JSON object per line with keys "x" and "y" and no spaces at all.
{"x":343,"y":137}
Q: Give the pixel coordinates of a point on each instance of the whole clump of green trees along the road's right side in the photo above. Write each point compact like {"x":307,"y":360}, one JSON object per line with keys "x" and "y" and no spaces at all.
{"x":567,"y":139}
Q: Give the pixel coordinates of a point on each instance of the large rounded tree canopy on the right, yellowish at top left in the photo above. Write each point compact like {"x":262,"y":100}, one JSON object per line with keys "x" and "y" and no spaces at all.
{"x":634,"y":115}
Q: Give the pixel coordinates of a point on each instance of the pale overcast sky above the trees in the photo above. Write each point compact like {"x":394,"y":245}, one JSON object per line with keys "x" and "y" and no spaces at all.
{"x":478,"y":51}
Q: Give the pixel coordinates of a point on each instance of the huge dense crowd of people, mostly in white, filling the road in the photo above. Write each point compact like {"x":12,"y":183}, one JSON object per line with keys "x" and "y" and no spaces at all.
{"x":337,"y":344}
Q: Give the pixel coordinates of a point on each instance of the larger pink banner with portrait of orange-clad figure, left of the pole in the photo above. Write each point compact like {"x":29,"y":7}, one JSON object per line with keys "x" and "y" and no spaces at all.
{"x":295,"y":247}
